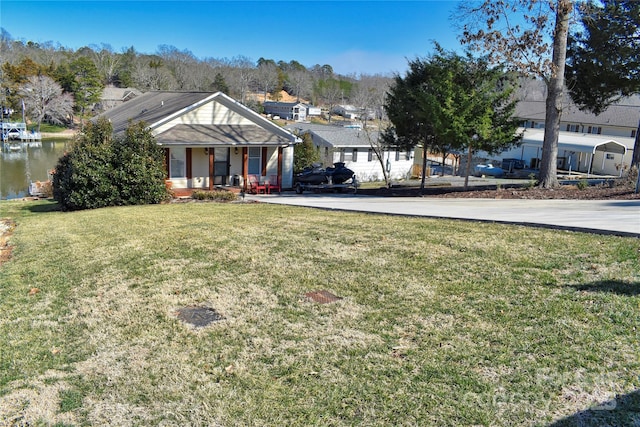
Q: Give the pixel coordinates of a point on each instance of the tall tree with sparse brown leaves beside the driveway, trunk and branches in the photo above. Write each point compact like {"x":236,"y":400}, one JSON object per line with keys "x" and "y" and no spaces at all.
{"x":529,"y":36}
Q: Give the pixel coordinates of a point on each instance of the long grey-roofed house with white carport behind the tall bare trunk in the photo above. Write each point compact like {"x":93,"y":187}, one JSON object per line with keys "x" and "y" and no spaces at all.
{"x":587,"y":143}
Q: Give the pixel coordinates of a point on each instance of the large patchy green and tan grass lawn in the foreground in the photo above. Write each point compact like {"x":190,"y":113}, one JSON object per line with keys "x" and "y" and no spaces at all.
{"x":440,"y":322}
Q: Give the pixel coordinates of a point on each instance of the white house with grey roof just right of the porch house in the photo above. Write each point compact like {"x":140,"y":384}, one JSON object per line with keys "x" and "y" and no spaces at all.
{"x":350,"y":144}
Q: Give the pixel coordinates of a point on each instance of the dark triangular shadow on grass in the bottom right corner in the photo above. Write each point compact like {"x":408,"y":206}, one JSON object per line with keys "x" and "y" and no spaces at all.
{"x":624,"y":410}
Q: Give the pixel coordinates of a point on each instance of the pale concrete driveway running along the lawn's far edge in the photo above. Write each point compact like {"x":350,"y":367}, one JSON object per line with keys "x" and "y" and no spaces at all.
{"x":618,"y":217}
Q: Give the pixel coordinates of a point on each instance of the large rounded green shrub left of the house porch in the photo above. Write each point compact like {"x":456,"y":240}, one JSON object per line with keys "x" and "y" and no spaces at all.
{"x":101,"y":170}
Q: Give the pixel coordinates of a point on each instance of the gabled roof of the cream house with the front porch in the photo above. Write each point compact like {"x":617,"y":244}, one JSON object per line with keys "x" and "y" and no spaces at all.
{"x":157,"y":109}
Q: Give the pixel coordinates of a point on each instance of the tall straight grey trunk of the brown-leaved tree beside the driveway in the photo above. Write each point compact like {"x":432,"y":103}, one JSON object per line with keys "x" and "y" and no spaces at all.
{"x":548,"y":165}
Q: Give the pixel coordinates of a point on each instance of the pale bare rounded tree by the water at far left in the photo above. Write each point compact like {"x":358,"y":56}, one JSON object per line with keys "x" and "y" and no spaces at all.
{"x":43,"y":98}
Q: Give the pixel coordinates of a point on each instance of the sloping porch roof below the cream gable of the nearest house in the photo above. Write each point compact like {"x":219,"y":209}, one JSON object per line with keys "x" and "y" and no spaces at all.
{"x":226,"y":135}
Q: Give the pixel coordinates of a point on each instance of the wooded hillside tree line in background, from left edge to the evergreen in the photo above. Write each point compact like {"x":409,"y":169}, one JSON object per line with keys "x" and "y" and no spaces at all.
{"x":56,"y":83}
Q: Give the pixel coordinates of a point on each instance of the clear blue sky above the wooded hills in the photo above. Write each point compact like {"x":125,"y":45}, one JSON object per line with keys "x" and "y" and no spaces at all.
{"x":353,"y":37}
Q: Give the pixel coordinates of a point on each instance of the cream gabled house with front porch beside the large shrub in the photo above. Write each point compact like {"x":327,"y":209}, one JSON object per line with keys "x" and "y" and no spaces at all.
{"x":210,"y":139}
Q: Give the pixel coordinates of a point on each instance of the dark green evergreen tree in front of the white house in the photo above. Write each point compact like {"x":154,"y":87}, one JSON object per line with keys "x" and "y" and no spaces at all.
{"x":451,"y":101}
